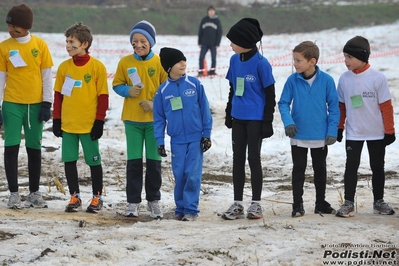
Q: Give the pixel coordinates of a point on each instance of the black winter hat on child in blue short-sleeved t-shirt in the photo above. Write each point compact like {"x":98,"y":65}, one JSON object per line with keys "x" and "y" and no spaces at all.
{"x":245,"y":33}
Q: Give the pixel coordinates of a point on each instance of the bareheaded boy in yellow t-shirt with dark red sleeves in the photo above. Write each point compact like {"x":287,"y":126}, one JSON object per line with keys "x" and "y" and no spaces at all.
{"x":80,"y":105}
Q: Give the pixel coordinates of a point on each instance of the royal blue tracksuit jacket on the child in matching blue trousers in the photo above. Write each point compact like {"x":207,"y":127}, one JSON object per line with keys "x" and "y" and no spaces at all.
{"x":191,"y":120}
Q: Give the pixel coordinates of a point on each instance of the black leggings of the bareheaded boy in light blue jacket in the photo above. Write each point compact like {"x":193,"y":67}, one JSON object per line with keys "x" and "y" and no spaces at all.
{"x":299,"y":159}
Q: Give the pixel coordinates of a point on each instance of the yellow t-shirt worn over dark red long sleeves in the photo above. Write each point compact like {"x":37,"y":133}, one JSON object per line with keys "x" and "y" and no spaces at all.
{"x":79,"y":110}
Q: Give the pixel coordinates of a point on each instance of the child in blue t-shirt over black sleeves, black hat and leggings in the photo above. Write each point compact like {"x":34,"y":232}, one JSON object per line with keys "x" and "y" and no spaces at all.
{"x":249,"y":112}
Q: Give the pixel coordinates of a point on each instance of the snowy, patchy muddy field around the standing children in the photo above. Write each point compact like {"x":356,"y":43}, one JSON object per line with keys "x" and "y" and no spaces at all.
{"x":53,"y":237}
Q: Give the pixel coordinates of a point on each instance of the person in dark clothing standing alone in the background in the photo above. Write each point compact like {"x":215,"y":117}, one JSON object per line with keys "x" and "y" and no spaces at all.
{"x":209,"y":36}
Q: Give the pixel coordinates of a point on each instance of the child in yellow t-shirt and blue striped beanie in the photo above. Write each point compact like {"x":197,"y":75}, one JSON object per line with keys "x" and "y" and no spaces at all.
{"x":137,"y":79}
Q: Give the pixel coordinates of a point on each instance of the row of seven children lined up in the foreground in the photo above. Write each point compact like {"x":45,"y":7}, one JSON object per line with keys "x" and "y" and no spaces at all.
{"x":159,"y":96}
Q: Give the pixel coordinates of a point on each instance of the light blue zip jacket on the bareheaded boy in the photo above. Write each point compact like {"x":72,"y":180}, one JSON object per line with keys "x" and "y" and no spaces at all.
{"x":314,"y":110}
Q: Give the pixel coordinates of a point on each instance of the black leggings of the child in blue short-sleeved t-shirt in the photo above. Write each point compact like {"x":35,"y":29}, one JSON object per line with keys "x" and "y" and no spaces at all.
{"x":247,"y":134}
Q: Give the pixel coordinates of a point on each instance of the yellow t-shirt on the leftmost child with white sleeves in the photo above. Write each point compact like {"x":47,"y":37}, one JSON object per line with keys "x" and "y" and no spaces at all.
{"x":24,"y":84}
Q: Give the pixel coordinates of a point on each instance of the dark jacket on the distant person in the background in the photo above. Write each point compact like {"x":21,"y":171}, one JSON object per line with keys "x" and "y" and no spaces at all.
{"x":210,"y":31}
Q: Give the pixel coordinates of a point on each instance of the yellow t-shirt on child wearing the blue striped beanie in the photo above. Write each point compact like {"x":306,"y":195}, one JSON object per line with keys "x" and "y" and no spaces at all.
{"x":151,"y":75}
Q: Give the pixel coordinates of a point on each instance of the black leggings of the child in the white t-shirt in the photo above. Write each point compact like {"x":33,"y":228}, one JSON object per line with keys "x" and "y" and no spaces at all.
{"x":376,"y":149}
